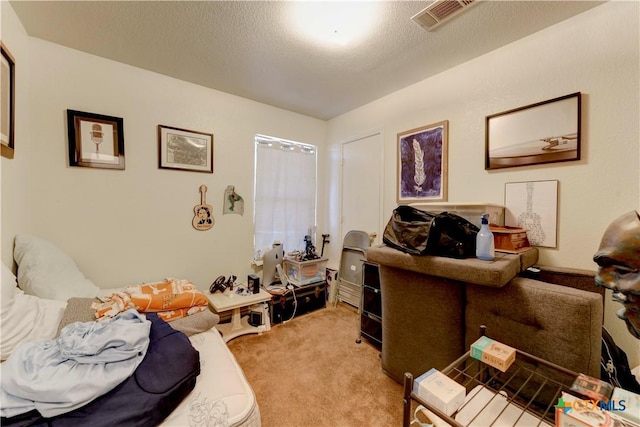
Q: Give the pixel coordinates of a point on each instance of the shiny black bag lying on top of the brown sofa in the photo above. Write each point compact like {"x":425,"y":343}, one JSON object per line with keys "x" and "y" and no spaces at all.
{"x":419,"y":232}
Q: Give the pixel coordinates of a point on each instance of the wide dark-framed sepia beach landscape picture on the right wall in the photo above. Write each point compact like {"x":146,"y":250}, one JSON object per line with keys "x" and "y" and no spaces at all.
{"x":544,"y":132}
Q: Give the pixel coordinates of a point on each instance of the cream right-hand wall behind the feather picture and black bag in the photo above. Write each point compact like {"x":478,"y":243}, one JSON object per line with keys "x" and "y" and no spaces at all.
{"x":595,"y":53}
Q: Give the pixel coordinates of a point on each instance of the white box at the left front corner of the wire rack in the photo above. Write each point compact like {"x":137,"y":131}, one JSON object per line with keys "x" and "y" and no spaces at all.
{"x":439,"y":390}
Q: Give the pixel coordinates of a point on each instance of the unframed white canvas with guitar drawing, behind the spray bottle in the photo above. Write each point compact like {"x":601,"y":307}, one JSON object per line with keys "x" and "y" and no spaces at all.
{"x":533,"y":205}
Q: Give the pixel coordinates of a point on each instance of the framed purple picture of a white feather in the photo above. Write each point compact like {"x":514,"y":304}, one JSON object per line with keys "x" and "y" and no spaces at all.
{"x":422,"y":164}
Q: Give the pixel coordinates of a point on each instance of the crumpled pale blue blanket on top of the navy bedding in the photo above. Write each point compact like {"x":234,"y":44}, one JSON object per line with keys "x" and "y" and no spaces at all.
{"x":86,"y":361}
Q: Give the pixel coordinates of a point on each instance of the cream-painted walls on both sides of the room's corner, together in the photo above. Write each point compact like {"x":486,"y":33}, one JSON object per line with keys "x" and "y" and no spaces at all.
{"x":135,"y":225}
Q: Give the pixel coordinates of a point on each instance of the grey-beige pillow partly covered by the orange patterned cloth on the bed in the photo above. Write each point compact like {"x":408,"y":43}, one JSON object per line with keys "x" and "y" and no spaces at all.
{"x":79,"y":310}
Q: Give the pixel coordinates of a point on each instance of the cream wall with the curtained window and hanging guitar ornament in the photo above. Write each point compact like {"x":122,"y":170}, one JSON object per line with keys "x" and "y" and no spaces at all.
{"x":133,"y":225}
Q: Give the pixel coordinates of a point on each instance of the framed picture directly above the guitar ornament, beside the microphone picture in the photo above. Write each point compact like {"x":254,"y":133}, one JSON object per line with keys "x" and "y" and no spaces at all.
{"x":185,"y":149}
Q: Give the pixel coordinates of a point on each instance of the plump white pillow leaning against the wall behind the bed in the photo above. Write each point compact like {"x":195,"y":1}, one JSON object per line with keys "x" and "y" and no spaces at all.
{"x":47,"y":272}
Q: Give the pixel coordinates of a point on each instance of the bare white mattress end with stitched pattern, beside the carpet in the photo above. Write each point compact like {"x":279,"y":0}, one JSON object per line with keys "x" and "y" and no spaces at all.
{"x":222,"y":396}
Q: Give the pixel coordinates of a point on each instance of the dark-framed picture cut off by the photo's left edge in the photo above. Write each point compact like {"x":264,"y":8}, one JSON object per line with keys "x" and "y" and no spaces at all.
{"x":8,"y":97}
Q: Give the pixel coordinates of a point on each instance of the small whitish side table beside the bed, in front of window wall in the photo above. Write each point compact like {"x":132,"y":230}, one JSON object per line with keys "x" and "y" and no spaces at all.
{"x":239,"y":325}
